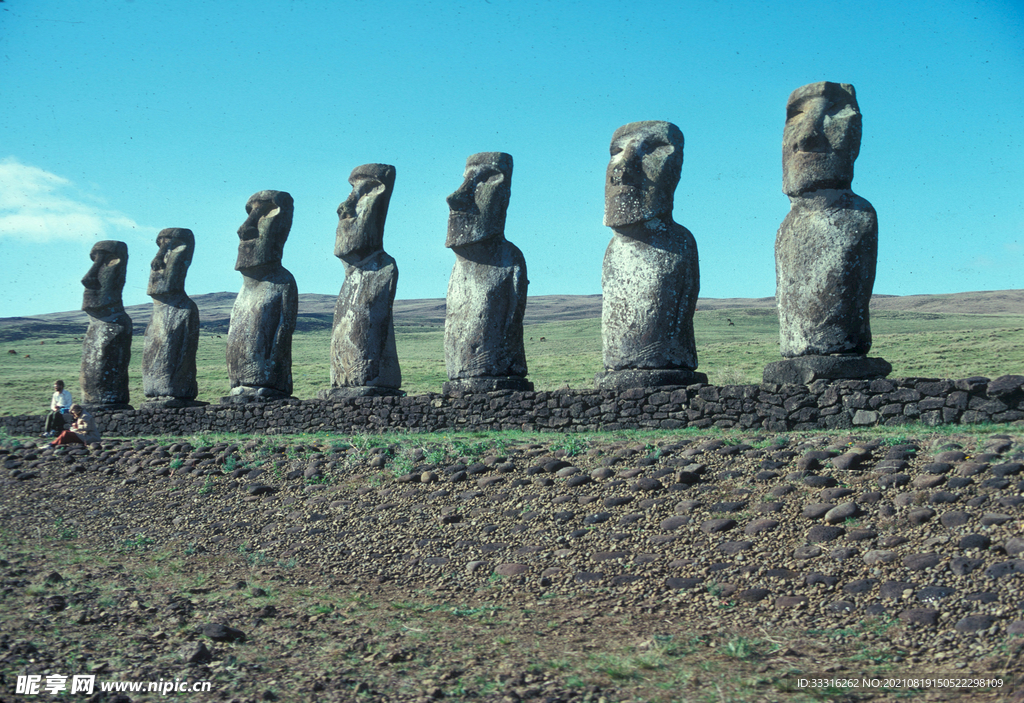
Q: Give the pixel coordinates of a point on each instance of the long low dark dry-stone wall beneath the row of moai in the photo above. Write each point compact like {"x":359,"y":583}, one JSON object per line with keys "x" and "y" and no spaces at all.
{"x":777,"y":409}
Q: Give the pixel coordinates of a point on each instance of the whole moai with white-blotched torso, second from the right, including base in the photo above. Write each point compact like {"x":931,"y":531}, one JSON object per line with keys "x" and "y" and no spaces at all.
{"x":651,"y":278}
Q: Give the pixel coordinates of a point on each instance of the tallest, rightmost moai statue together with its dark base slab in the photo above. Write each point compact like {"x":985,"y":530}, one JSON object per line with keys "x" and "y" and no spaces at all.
{"x":827,"y":247}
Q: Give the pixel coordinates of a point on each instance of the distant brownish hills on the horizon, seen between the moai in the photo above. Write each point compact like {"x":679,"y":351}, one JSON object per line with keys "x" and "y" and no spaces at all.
{"x":317,"y":312}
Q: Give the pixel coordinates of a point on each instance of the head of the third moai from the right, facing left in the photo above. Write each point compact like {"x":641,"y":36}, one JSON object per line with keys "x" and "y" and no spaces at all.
{"x":479,"y":207}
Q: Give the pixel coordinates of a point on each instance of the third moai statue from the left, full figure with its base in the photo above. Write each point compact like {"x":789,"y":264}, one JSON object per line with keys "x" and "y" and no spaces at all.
{"x":260,"y":339}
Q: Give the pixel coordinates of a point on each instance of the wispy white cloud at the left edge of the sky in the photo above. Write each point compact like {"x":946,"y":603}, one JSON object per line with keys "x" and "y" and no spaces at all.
{"x":37,"y":206}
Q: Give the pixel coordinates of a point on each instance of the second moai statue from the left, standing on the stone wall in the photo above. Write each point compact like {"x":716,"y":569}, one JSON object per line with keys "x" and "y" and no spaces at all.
{"x":173,"y":336}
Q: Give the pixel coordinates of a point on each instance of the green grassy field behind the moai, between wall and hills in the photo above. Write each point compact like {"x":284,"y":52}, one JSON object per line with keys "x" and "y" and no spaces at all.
{"x":561,"y":355}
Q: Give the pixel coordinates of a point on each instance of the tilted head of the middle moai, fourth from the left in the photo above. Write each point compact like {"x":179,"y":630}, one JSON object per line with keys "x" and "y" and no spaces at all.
{"x":362,"y":216}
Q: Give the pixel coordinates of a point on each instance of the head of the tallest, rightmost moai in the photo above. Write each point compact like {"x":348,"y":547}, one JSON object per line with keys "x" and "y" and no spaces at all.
{"x":822,"y":139}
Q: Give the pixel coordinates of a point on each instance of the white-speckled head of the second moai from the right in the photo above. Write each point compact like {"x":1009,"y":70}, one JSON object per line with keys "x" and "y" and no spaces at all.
{"x":644,"y":172}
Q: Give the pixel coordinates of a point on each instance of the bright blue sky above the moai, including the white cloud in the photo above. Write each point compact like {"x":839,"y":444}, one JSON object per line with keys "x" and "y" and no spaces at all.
{"x":122,"y":118}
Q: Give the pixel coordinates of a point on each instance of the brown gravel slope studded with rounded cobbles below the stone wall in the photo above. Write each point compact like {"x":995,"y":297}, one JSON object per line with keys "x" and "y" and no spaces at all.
{"x":809,"y":534}
